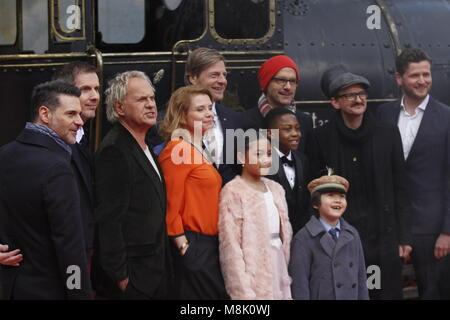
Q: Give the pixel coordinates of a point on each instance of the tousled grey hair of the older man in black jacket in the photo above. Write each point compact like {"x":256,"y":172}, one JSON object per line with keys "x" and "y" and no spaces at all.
{"x":118,"y":90}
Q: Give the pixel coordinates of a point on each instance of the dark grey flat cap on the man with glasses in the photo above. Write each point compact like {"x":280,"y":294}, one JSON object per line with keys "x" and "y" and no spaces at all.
{"x":338,"y":77}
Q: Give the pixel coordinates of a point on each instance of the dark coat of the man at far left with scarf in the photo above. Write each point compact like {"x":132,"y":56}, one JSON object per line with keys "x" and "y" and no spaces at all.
{"x":41,"y":216}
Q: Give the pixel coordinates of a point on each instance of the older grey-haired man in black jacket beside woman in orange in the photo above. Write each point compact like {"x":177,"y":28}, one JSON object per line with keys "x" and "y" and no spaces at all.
{"x":131,"y":196}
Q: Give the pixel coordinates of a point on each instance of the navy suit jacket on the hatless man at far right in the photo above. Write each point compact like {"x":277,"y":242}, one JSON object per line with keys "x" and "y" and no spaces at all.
{"x":428,"y":166}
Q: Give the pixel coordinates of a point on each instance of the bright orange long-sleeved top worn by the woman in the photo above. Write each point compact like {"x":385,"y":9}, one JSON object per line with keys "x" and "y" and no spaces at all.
{"x":193,"y":188}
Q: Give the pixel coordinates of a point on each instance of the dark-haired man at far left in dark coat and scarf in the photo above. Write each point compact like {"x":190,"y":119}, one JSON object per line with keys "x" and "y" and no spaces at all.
{"x":39,"y":201}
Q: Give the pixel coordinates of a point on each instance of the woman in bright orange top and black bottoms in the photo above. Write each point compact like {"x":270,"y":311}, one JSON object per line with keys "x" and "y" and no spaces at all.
{"x":193,"y":188}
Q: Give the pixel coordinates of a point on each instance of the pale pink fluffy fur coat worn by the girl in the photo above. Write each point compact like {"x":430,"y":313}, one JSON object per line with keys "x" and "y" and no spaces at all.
{"x":244,"y":240}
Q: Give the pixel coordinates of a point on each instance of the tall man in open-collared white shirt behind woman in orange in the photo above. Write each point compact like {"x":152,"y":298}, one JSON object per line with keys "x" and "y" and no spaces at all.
{"x":206,"y":67}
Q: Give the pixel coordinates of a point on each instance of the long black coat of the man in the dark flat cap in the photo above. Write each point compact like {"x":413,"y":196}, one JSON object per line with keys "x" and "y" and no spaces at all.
{"x":391,"y":198}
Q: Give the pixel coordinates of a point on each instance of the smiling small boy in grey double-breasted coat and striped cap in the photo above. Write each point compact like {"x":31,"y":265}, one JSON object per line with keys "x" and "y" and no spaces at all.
{"x":327,"y":259}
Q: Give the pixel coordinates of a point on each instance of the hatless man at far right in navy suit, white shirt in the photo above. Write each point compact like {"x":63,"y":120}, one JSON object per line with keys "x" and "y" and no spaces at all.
{"x":424,"y":125}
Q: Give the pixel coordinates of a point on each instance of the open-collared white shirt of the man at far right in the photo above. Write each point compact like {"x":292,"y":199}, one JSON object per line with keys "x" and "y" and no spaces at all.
{"x":409,"y":124}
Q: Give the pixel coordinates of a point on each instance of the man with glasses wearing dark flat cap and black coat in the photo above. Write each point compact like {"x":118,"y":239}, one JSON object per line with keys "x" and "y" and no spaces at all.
{"x":370,"y":156}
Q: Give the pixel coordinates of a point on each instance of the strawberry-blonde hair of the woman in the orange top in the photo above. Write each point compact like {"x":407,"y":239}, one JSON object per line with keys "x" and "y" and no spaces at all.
{"x":178,"y":108}
